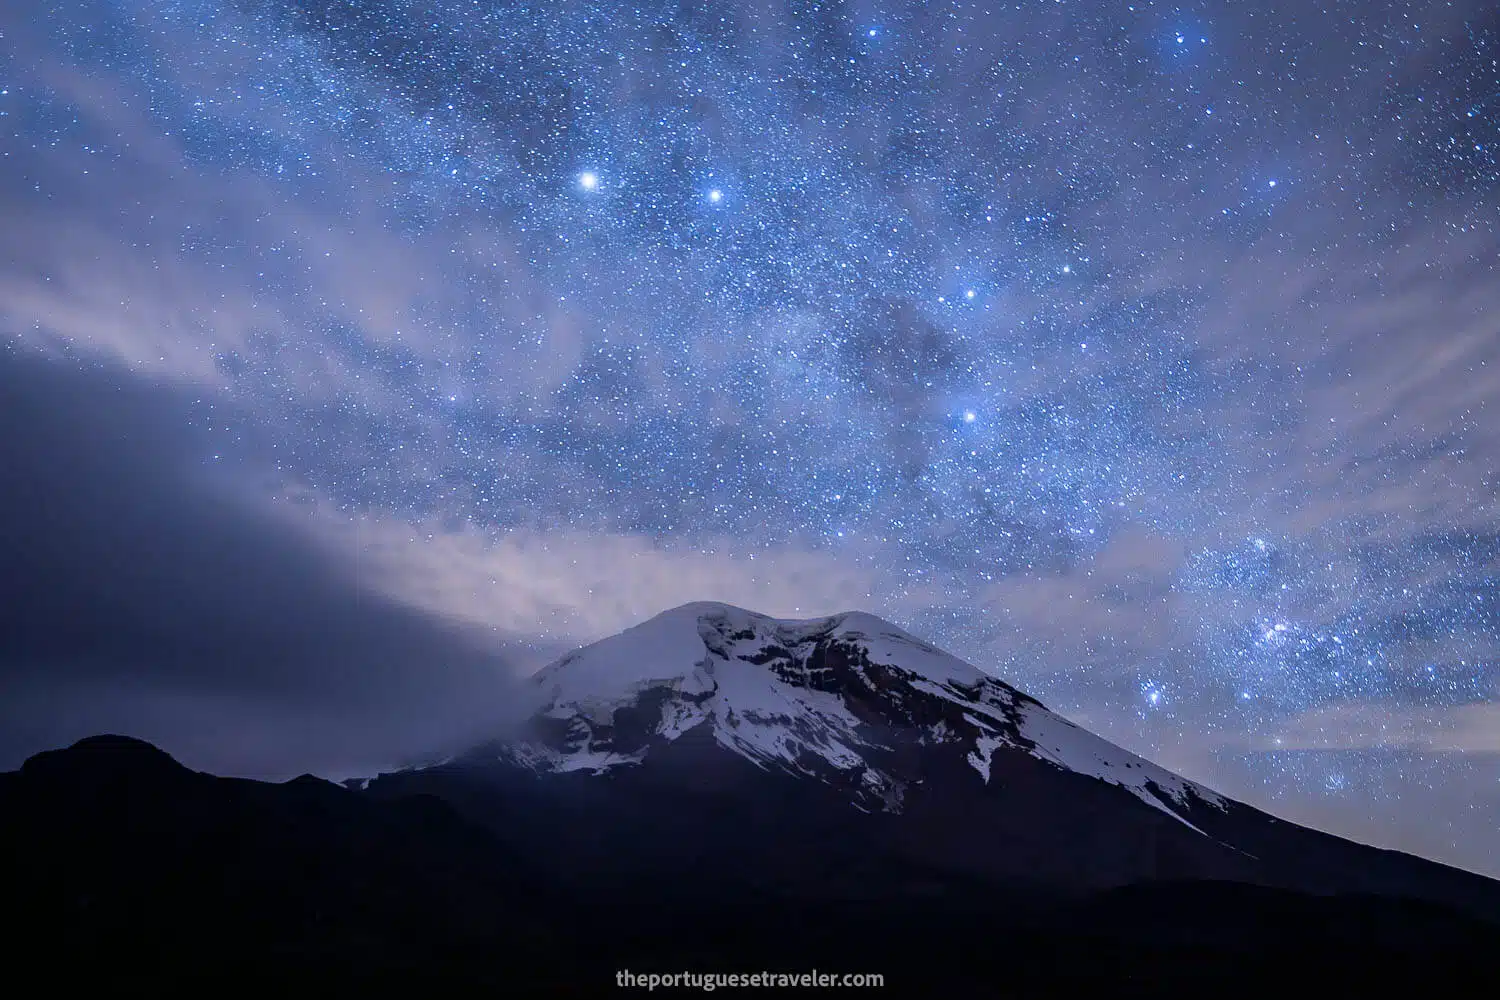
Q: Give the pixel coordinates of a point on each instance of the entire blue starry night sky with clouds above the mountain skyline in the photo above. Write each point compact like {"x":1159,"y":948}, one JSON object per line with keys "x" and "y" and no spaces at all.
{"x":1145,"y":355}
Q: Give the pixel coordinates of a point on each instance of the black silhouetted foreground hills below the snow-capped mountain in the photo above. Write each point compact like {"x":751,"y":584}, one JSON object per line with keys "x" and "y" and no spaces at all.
{"x":124,"y":870}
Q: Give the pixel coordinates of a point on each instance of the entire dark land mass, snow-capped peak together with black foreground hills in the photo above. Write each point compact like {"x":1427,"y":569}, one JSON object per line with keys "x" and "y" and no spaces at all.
{"x":697,"y":794}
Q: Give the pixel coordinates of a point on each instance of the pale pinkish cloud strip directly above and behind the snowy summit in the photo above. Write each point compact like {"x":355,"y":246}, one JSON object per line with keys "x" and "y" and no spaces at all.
{"x":574,"y":587}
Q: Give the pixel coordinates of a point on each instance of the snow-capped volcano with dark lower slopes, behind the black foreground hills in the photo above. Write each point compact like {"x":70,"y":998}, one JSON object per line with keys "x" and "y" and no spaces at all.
{"x":712,"y":753}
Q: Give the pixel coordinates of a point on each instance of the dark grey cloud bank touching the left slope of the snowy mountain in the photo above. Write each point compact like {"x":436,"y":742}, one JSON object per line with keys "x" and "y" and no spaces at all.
{"x":142,"y":593}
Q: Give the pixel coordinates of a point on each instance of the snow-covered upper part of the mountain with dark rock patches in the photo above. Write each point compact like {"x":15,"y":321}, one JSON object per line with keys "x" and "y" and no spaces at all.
{"x":823,"y":698}
